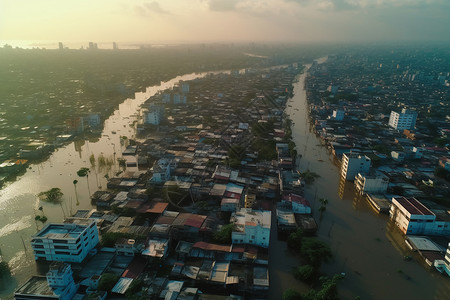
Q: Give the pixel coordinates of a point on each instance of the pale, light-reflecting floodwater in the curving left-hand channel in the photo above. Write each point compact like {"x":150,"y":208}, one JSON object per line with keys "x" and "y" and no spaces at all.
{"x":18,"y":201}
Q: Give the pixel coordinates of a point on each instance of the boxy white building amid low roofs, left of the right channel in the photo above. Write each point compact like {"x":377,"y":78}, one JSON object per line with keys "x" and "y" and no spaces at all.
{"x":251,"y":227}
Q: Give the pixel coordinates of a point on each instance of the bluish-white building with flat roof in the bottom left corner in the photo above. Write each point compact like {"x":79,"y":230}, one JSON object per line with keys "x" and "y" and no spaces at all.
{"x":57,"y":284}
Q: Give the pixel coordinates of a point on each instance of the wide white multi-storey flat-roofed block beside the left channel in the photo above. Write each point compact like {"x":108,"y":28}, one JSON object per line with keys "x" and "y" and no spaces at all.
{"x":65,"y":242}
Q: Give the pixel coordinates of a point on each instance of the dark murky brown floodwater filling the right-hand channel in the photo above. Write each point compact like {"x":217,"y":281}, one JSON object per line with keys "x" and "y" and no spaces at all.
{"x":366,"y":246}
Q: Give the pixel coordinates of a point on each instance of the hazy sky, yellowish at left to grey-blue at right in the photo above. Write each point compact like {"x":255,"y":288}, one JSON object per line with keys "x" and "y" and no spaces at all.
{"x":224,"y":20}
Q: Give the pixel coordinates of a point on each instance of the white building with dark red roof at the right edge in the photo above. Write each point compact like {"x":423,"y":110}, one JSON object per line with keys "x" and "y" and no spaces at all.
{"x":412,"y":217}
